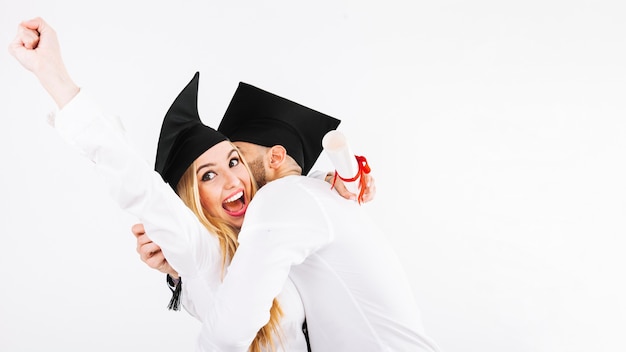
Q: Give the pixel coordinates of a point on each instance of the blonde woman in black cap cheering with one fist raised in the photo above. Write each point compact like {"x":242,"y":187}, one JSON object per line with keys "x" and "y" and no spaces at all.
{"x":202,"y":166}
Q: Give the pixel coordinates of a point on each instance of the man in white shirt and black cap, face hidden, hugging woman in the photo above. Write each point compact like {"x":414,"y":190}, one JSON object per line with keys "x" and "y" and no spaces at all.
{"x":354,"y":290}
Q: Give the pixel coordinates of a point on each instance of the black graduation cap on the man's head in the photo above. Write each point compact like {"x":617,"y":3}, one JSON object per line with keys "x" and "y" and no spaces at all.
{"x":260,"y":117}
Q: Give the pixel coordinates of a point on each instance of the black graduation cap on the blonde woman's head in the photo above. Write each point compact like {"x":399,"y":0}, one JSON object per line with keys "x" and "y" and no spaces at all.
{"x":183,"y":136}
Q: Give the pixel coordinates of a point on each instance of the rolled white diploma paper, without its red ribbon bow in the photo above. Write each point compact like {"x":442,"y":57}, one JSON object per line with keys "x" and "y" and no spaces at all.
{"x":336,"y":147}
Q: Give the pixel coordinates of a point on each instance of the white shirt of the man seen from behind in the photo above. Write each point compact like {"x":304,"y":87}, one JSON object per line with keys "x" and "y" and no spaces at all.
{"x":355,"y":293}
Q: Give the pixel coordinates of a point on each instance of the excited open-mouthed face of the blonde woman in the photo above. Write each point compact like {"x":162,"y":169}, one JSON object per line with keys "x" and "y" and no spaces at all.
{"x":223,"y":183}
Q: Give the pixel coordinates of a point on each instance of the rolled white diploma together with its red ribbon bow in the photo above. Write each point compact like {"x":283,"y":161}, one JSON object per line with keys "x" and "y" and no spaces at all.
{"x":348,"y":167}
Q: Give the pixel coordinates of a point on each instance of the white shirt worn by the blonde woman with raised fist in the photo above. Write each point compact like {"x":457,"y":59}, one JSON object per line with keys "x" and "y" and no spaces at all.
{"x":188,"y":246}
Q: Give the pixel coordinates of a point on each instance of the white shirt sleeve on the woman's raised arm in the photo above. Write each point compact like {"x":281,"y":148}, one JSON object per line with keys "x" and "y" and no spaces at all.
{"x":136,"y":187}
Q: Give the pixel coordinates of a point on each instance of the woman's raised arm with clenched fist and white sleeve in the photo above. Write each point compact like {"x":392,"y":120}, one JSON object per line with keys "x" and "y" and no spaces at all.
{"x":132,"y":183}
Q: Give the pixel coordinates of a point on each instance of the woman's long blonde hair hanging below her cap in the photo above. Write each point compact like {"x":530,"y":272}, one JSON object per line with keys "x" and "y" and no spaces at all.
{"x":187,"y":190}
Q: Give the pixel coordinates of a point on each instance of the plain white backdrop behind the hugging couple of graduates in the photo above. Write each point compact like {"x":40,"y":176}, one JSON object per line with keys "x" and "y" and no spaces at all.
{"x":495,"y":131}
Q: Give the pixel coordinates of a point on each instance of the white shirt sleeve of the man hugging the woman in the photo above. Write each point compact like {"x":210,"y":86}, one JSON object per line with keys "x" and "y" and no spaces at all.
{"x":276,"y":235}
